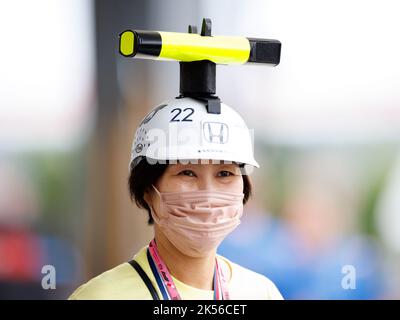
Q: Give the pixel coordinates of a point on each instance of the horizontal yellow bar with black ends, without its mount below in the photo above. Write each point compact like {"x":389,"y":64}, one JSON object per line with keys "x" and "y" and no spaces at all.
{"x":189,"y":47}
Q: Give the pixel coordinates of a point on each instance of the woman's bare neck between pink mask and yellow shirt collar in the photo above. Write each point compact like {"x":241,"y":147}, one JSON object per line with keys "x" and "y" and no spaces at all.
{"x":195,"y":272}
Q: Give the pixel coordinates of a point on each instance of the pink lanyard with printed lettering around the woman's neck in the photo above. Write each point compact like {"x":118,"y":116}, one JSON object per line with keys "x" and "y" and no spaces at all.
{"x":220,"y":281}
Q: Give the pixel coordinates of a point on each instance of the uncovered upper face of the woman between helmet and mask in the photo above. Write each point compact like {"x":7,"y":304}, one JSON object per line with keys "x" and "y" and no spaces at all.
{"x":194,"y":177}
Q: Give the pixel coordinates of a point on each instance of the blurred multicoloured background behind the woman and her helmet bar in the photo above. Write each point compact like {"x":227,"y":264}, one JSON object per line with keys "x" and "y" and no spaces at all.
{"x":327,"y":137}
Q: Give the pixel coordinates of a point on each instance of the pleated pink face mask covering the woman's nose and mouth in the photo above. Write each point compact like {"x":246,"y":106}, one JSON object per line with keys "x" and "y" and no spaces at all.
{"x":196,"y":222}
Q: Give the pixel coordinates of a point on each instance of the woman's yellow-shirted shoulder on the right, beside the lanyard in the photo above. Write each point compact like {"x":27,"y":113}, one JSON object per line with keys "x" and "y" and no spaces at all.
{"x":249,"y":285}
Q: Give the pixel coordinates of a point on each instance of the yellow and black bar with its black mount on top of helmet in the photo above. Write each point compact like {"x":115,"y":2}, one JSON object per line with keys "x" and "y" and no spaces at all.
{"x":198,"y":55}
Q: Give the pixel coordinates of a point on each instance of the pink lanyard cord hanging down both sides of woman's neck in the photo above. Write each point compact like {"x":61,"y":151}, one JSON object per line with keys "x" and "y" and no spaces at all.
{"x":166,"y":284}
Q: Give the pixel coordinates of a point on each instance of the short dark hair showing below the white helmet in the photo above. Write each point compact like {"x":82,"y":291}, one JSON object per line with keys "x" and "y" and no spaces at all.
{"x":144,"y":175}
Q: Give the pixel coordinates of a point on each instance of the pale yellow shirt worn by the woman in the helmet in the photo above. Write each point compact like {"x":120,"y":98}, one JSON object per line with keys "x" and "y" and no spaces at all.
{"x":123,"y":282}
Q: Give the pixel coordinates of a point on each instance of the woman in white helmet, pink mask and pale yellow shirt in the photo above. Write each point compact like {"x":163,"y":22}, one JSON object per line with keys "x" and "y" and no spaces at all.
{"x":189,"y":171}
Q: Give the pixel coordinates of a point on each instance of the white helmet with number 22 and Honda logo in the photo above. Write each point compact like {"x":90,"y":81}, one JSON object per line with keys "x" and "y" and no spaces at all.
{"x":182,"y":129}
